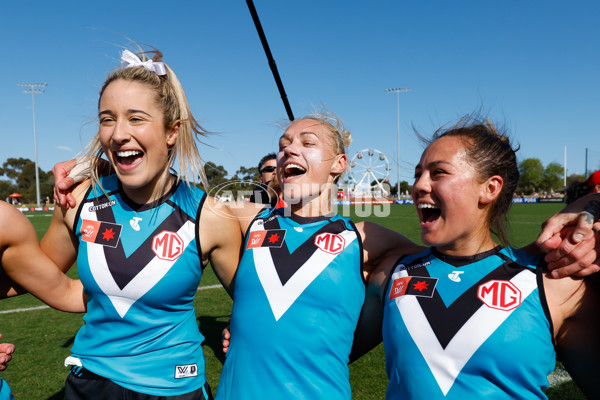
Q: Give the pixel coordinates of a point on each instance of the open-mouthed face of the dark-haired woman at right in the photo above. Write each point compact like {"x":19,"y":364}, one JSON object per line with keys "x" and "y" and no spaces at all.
{"x":451,"y":200}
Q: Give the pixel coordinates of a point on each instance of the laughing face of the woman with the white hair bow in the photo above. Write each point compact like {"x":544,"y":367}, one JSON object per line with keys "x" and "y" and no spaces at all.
{"x":134,"y":138}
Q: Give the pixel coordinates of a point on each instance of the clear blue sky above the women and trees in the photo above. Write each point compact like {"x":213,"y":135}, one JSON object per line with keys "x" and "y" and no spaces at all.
{"x":532,"y":65}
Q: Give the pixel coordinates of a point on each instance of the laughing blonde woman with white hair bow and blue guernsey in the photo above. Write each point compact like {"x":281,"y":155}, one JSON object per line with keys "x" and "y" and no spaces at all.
{"x":141,"y":237}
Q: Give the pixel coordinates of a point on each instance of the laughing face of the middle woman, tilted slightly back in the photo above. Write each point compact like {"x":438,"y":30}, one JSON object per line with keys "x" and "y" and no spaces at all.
{"x":306,"y":162}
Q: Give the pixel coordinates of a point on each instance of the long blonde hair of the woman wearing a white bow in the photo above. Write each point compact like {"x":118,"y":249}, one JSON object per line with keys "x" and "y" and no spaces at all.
{"x":169,"y":95}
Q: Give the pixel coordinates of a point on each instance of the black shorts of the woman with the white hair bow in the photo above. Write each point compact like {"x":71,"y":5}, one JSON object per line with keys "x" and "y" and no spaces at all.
{"x":85,"y":385}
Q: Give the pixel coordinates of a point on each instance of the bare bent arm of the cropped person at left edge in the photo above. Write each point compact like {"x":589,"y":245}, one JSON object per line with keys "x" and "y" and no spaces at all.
{"x":26,"y":264}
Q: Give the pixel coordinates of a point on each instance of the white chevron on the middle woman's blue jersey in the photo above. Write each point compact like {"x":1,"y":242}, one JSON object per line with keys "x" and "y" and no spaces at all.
{"x":281,"y":297}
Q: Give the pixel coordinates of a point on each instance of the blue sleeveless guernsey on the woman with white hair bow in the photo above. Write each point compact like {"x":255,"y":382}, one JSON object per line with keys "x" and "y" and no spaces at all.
{"x":140,"y":266}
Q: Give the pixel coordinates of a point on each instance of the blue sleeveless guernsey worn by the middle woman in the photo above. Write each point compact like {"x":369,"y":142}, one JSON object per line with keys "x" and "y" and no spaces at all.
{"x":297,"y":298}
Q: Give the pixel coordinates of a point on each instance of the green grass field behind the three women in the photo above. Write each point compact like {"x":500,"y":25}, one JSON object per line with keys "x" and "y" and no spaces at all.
{"x":44,"y":336}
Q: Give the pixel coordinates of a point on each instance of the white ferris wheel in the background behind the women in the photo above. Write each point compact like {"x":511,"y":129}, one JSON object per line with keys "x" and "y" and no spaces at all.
{"x":369,"y":170}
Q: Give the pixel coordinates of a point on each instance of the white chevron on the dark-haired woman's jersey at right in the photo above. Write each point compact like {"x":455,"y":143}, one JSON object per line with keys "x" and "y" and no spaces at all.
{"x":446,"y":364}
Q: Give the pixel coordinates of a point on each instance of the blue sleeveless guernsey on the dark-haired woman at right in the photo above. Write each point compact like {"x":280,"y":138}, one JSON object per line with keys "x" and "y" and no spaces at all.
{"x":467,"y":327}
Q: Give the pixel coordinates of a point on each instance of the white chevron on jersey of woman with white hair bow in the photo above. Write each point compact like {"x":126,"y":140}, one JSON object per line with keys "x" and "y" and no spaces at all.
{"x":150,"y":275}
